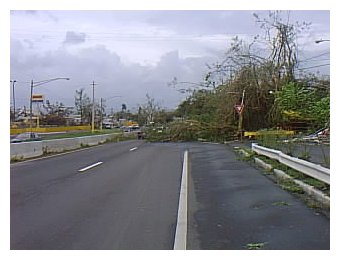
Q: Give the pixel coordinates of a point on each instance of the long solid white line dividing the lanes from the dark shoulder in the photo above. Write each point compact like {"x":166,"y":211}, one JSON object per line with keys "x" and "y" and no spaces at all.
{"x":182,"y":215}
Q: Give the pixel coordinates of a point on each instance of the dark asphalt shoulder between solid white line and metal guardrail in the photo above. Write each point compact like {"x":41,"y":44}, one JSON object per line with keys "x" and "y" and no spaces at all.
{"x":233,"y":206}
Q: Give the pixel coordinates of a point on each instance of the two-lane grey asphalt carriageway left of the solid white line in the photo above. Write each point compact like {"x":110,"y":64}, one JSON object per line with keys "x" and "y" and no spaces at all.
{"x":115,"y":196}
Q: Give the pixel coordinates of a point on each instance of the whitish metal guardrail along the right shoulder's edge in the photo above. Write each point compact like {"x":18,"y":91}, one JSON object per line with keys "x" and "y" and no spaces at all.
{"x":313,"y":170}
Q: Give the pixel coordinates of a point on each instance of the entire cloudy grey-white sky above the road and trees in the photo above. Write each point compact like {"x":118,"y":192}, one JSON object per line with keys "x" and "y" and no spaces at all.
{"x":132,"y":53}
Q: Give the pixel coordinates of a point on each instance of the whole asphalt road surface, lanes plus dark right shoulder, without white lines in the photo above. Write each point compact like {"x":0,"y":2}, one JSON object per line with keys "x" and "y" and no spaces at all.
{"x":130,"y":201}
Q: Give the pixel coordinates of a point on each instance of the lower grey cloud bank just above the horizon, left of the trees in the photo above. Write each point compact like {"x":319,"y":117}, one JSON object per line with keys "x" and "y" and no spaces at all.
{"x":130,"y":81}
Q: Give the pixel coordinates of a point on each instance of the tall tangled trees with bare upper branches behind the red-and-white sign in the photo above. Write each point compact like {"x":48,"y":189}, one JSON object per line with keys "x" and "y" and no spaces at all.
{"x":265,"y":70}
